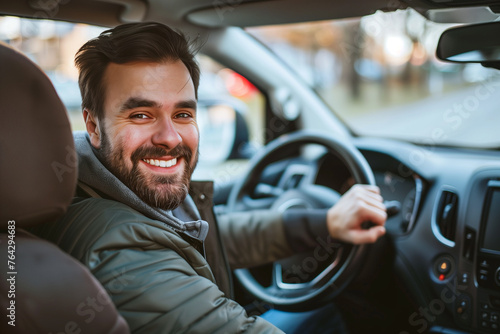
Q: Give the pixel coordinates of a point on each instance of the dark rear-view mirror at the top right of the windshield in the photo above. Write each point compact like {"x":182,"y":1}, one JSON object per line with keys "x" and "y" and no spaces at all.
{"x":477,"y":43}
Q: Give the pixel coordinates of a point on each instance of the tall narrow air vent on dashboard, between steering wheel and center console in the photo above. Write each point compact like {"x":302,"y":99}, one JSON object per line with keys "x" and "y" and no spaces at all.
{"x":446,"y":214}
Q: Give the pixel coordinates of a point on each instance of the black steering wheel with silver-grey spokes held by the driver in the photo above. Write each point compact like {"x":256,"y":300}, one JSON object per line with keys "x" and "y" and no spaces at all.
{"x":331,"y":273}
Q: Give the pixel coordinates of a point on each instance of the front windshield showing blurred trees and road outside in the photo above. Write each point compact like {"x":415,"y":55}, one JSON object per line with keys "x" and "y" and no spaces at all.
{"x":379,"y":74}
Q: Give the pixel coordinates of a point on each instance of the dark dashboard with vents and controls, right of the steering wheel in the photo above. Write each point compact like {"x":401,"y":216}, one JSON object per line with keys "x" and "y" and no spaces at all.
{"x":447,"y":235}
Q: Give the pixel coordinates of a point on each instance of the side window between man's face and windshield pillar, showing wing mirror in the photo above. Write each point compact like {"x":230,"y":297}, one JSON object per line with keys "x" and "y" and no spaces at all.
{"x":231,"y":118}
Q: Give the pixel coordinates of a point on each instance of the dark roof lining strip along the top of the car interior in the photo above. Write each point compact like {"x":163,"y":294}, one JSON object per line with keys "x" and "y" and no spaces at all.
{"x":191,"y":14}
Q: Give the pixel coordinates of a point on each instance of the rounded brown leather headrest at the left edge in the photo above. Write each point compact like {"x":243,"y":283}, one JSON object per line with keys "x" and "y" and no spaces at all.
{"x":37,"y":156}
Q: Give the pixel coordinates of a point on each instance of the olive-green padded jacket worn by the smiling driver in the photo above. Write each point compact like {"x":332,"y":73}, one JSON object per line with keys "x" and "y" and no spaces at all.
{"x":164,"y":281}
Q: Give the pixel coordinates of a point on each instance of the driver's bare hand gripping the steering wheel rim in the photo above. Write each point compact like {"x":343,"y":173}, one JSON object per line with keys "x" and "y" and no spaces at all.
{"x":362,"y":203}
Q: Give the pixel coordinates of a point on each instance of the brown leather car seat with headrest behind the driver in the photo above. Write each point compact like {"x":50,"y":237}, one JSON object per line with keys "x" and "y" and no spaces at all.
{"x":42,"y":289}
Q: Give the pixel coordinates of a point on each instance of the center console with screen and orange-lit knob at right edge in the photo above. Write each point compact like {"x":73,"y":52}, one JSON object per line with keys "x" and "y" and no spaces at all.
{"x":467,"y":275}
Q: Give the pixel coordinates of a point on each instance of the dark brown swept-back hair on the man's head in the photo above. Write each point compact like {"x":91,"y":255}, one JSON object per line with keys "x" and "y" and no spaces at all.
{"x":146,"y":41}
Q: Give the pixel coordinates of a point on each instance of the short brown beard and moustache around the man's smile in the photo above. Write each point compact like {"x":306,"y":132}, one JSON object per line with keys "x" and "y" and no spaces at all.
{"x":165,"y":192}
